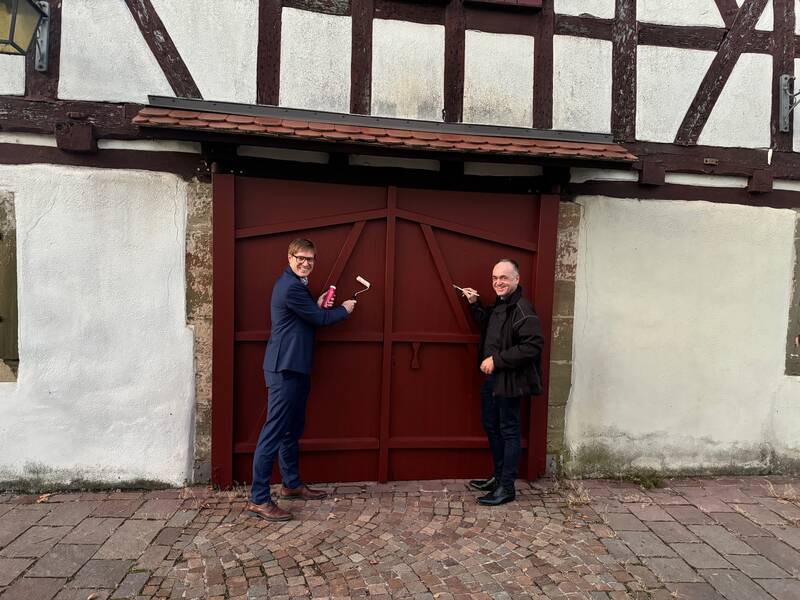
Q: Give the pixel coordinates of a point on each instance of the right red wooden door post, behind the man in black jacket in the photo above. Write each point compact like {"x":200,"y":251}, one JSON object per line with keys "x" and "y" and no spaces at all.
{"x":543,"y":303}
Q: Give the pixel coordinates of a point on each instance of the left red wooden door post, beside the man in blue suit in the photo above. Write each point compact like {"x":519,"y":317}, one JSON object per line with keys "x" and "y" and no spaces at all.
{"x":222,"y":346}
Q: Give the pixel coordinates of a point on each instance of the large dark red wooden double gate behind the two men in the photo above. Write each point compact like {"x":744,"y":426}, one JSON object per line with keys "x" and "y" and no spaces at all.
{"x":395,"y":387}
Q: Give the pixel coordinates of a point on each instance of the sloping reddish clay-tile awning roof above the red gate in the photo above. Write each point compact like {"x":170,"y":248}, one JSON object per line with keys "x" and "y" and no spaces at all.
{"x":406,"y":139}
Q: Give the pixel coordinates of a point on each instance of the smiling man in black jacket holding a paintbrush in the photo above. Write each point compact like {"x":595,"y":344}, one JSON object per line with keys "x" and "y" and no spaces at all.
{"x":510,"y":355}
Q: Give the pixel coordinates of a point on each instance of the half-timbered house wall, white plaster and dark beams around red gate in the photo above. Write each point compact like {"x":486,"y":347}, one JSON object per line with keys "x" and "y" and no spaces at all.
{"x":691,"y":86}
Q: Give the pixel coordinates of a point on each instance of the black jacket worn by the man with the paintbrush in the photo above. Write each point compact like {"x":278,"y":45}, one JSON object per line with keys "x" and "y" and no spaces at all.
{"x":517,"y":366}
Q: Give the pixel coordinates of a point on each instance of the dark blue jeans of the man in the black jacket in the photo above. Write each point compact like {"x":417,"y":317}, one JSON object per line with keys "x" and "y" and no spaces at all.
{"x":500,"y":417}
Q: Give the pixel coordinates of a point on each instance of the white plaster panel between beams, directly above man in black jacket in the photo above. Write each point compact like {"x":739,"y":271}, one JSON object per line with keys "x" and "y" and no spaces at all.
{"x":498,"y":79}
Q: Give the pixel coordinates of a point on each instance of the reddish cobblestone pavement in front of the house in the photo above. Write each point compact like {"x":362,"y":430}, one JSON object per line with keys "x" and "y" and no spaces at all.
{"x":732,"y":538}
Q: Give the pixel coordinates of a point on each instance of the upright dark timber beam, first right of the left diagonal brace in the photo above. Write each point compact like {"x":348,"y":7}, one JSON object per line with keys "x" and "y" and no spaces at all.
{"x":268,"y":65}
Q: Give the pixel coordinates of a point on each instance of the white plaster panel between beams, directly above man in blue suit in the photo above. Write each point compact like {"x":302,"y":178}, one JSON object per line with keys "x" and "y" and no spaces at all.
{"x":315,"y":60}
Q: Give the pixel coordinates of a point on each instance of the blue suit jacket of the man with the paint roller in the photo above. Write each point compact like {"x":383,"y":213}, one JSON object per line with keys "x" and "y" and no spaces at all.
{"x":295,"y":316}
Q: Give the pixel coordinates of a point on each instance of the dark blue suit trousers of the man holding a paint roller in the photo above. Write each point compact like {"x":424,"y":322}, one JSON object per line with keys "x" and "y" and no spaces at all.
{"x":286,"y":417}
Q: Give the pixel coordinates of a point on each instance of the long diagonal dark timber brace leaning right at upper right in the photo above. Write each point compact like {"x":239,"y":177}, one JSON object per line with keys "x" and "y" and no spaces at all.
{"x":718,"y":73}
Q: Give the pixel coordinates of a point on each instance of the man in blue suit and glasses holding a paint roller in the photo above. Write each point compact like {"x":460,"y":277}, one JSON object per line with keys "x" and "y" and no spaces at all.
{"x":287,"y":368}
